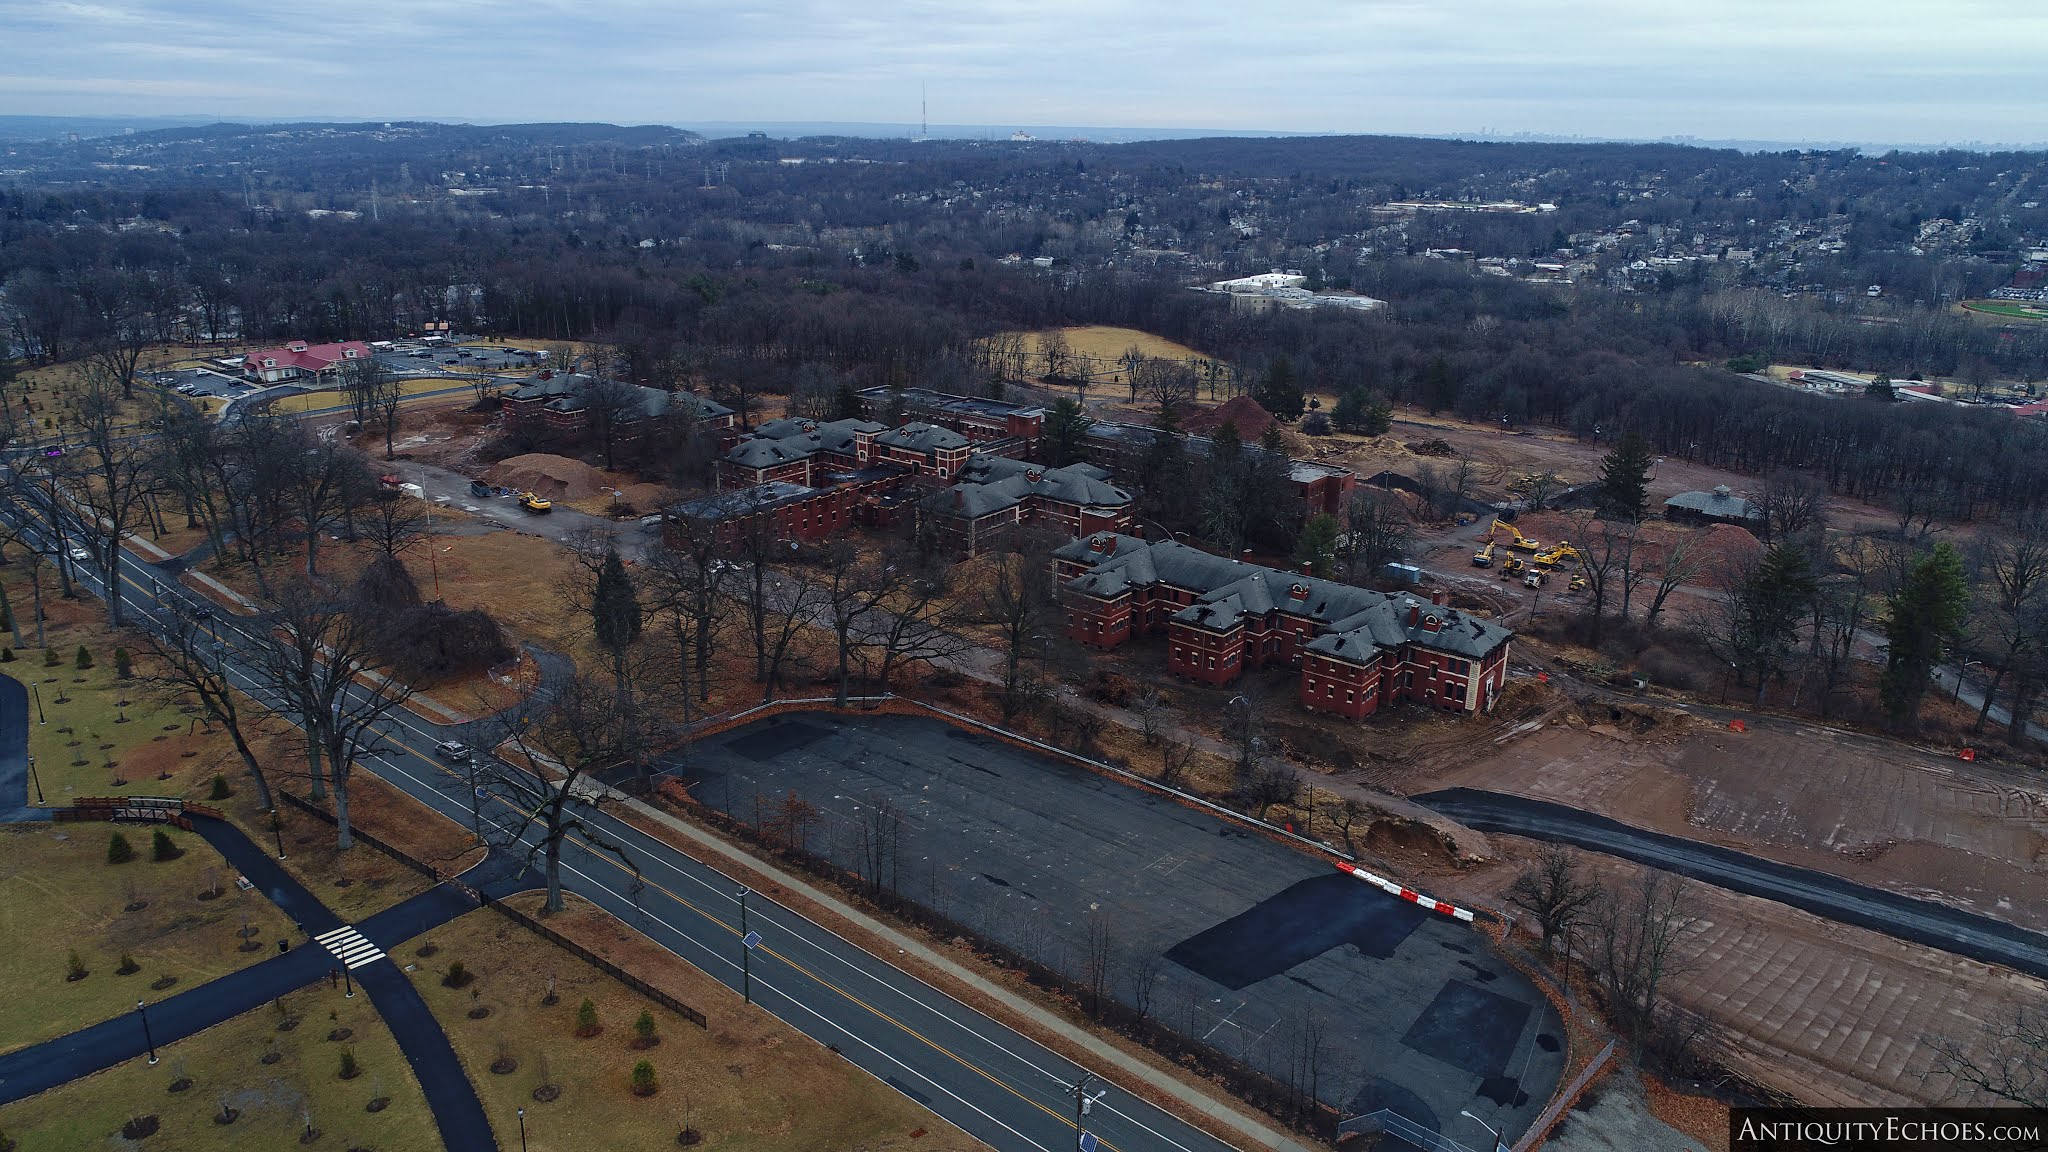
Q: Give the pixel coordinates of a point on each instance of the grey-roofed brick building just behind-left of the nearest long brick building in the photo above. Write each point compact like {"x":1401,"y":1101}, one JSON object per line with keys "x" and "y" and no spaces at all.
{"x":992,"y":497}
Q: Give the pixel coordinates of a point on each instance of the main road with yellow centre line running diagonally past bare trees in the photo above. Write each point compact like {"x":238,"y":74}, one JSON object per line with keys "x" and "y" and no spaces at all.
{"x":966,"y":1067}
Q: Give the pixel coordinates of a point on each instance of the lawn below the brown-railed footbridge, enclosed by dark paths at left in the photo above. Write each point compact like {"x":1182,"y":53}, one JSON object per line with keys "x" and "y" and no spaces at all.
{"x":60,"y":895}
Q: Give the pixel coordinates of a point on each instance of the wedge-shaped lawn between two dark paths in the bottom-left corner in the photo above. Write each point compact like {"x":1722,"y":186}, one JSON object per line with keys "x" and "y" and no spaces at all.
{"x":226,"y":1063}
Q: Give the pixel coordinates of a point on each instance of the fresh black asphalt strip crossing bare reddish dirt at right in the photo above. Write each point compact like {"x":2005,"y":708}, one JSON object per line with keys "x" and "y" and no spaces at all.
{"x":1830,"y":897}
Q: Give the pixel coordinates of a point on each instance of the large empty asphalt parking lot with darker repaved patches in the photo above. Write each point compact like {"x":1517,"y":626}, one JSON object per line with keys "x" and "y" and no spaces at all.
{"x":1254,"y":948}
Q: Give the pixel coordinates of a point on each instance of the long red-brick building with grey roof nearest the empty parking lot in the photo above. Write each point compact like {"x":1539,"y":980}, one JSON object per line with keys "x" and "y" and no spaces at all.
{"x":1357,"y":649}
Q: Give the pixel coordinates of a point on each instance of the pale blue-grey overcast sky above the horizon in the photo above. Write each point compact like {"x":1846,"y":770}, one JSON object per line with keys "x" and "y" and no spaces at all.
{"x":1867,"y":71}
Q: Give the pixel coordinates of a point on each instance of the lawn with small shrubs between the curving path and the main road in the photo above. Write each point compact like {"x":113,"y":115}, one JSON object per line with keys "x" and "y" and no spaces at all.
{"x":749,"y":1083}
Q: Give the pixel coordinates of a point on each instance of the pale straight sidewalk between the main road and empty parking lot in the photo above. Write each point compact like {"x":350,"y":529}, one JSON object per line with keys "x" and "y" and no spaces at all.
{"x":1099,"y":1051}
